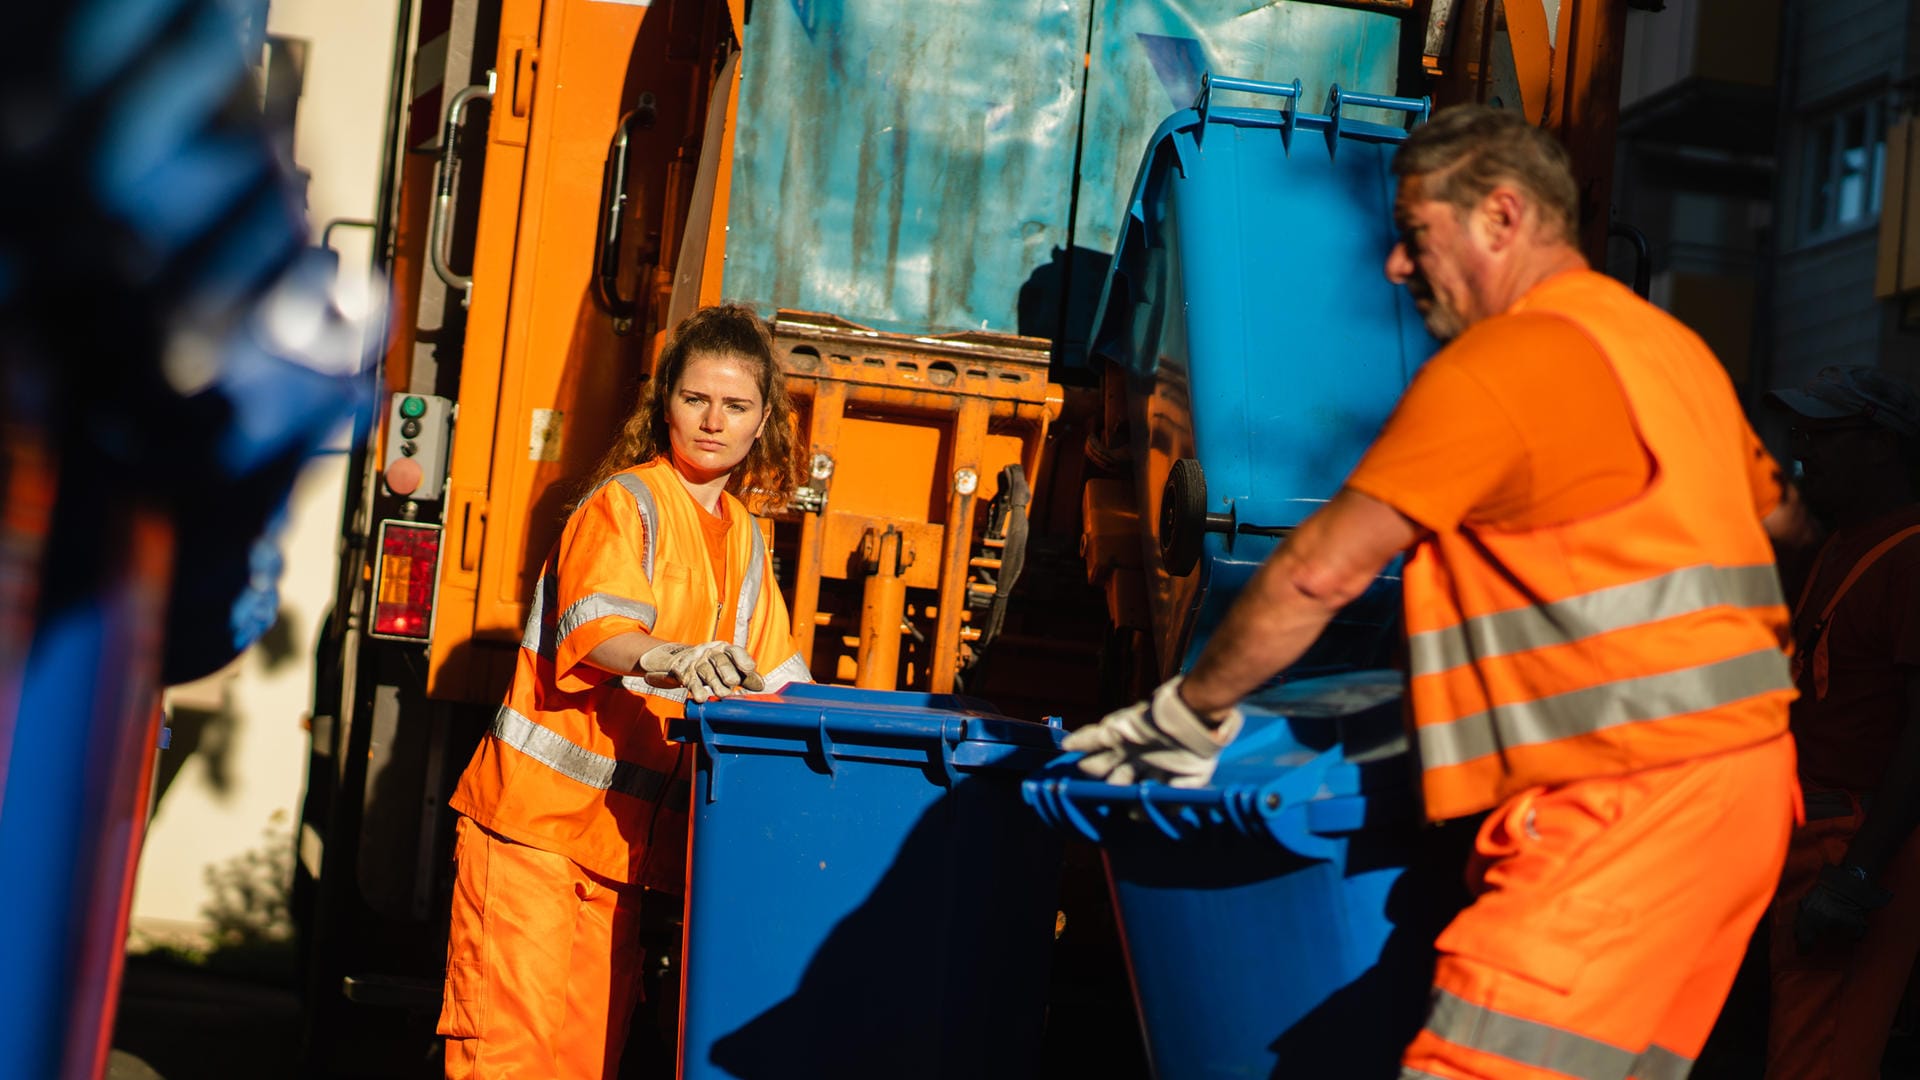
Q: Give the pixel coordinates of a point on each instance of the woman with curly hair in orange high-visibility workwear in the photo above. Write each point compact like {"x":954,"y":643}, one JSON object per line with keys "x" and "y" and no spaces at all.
{"x":660,"y":589}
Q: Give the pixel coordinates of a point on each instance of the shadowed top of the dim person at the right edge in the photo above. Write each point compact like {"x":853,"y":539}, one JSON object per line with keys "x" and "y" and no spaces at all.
{"x":1873,"y":643}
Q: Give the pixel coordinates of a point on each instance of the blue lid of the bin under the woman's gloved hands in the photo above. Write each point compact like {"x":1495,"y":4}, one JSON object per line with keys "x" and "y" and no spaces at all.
{"x":890,"y":727}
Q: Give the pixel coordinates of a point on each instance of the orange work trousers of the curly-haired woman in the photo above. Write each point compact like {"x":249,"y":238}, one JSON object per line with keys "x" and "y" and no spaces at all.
{"x":542,"y":964}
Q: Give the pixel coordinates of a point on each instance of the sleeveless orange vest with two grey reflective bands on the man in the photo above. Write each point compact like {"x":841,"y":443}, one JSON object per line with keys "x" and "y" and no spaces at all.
{"x":1639,"y":637}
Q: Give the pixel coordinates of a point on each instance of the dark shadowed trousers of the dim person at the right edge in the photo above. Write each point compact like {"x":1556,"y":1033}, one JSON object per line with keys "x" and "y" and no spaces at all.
{"x":1835,"y":1008}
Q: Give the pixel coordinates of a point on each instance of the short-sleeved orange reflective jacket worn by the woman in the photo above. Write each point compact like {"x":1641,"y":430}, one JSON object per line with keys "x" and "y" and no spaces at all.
{"x":579,"y":760}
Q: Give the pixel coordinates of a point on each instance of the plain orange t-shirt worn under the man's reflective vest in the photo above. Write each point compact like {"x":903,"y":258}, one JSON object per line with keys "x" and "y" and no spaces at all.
{"x":1520,"y":424}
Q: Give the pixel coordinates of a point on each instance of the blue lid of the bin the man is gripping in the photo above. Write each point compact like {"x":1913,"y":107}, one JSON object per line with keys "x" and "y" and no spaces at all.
{"x":1335,"y":762}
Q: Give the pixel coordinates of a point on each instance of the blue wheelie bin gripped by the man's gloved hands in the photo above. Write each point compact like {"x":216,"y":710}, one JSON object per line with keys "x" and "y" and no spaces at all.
{"x":1282,"y":921}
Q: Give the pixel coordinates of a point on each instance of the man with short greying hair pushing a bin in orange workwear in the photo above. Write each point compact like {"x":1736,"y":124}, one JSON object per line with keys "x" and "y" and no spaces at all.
{"x":1595,"y":629}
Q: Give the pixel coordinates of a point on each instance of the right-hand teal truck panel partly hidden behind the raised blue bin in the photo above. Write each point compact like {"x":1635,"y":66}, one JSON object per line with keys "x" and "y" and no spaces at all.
{"x":1149,"y":57}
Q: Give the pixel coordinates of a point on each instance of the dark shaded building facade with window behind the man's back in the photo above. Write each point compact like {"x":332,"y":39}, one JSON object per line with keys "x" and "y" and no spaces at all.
{"x":1762,"y":155}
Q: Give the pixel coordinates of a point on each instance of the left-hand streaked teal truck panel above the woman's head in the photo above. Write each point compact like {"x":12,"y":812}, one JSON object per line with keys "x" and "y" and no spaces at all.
{"x":907,"y":166}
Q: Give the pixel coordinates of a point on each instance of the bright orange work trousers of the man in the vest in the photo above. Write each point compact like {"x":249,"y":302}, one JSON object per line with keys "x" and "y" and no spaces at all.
{"x":1610,"y":918}
